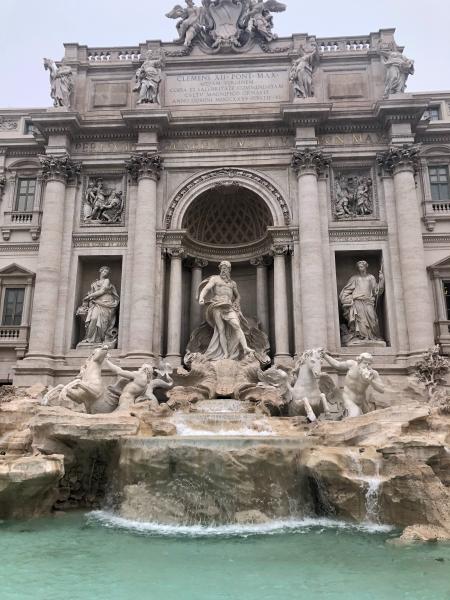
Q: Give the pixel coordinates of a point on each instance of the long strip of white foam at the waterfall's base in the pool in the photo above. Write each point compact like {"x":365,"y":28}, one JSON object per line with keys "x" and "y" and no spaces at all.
{"x":304,"y":525}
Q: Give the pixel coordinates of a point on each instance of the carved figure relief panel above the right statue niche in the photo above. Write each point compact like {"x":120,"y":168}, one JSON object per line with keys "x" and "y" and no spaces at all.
{"x":353,"y":195}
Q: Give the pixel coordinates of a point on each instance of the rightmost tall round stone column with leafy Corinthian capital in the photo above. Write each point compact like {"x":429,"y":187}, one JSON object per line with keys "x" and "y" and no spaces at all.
{"x":402,"y":162}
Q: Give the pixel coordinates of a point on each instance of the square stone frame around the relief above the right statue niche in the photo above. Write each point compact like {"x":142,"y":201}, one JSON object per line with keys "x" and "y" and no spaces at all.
{"x":360,"y":169}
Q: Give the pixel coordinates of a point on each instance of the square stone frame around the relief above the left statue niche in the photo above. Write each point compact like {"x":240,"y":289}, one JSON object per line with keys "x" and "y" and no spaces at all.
{"x":120,"y":183}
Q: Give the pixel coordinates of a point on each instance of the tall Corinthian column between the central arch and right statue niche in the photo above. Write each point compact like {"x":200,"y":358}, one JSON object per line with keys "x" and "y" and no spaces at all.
{"x":308,"y":164}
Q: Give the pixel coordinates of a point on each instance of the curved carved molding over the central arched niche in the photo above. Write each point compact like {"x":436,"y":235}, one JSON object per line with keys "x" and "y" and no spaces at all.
{"x":228,"y":176}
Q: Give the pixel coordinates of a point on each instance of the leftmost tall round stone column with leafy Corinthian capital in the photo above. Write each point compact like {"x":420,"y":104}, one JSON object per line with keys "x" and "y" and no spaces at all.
{"x":56,"y":172}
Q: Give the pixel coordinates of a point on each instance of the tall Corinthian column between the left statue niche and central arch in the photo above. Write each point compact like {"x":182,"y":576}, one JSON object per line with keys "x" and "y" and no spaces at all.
{"x":144,"y":168}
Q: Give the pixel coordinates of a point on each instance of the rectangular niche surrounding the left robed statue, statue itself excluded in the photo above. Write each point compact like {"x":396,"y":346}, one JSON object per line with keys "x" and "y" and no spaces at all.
{"x":87,"y":268}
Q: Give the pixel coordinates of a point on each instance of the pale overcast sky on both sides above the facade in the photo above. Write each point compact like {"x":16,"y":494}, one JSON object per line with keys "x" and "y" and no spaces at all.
{"x":32,"y":29}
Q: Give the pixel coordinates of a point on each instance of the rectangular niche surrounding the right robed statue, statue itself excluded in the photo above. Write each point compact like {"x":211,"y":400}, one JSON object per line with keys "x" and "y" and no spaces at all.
{"x":345,"y":266}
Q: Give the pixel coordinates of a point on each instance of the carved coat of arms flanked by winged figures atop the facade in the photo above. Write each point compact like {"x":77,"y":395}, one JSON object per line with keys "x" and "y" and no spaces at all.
{"x":229,"y":24}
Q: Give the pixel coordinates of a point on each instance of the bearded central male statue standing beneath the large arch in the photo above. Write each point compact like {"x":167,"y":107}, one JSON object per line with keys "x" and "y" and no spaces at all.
{"x":220,"y":295}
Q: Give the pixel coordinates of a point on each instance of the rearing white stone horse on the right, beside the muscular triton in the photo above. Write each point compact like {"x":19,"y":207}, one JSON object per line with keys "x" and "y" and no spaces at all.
{"x":305,"y":396}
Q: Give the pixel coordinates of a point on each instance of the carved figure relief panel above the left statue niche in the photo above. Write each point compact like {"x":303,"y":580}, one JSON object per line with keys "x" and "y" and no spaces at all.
{"x":103,"y":200}
